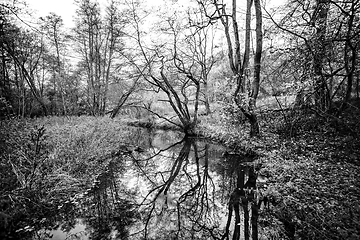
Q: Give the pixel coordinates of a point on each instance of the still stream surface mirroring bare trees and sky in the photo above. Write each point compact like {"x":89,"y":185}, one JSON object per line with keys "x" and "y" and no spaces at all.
{"x":165,"y":187}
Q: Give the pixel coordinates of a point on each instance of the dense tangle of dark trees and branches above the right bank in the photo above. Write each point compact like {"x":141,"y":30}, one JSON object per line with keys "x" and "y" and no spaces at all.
{"x":319,"y":52}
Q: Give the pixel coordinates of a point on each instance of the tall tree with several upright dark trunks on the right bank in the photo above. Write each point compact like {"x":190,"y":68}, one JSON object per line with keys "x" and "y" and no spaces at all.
{"x":239,"y":64}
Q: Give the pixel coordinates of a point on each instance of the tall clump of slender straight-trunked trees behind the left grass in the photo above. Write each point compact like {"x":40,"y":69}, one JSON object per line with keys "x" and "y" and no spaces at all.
{"x":99,"y":43}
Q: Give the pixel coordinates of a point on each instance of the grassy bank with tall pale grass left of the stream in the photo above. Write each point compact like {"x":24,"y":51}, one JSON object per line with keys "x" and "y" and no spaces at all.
{"x":46,"y":163}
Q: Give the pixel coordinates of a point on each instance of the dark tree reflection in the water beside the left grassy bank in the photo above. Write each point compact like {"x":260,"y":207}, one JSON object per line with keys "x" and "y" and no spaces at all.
{"x":107,"y":213}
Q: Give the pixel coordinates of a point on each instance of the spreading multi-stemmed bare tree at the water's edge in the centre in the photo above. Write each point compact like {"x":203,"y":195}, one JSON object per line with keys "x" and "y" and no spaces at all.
{"x":176,"y":66}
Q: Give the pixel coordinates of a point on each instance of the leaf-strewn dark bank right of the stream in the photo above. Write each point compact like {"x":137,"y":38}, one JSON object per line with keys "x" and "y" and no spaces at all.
{"x":312,"y":176}
